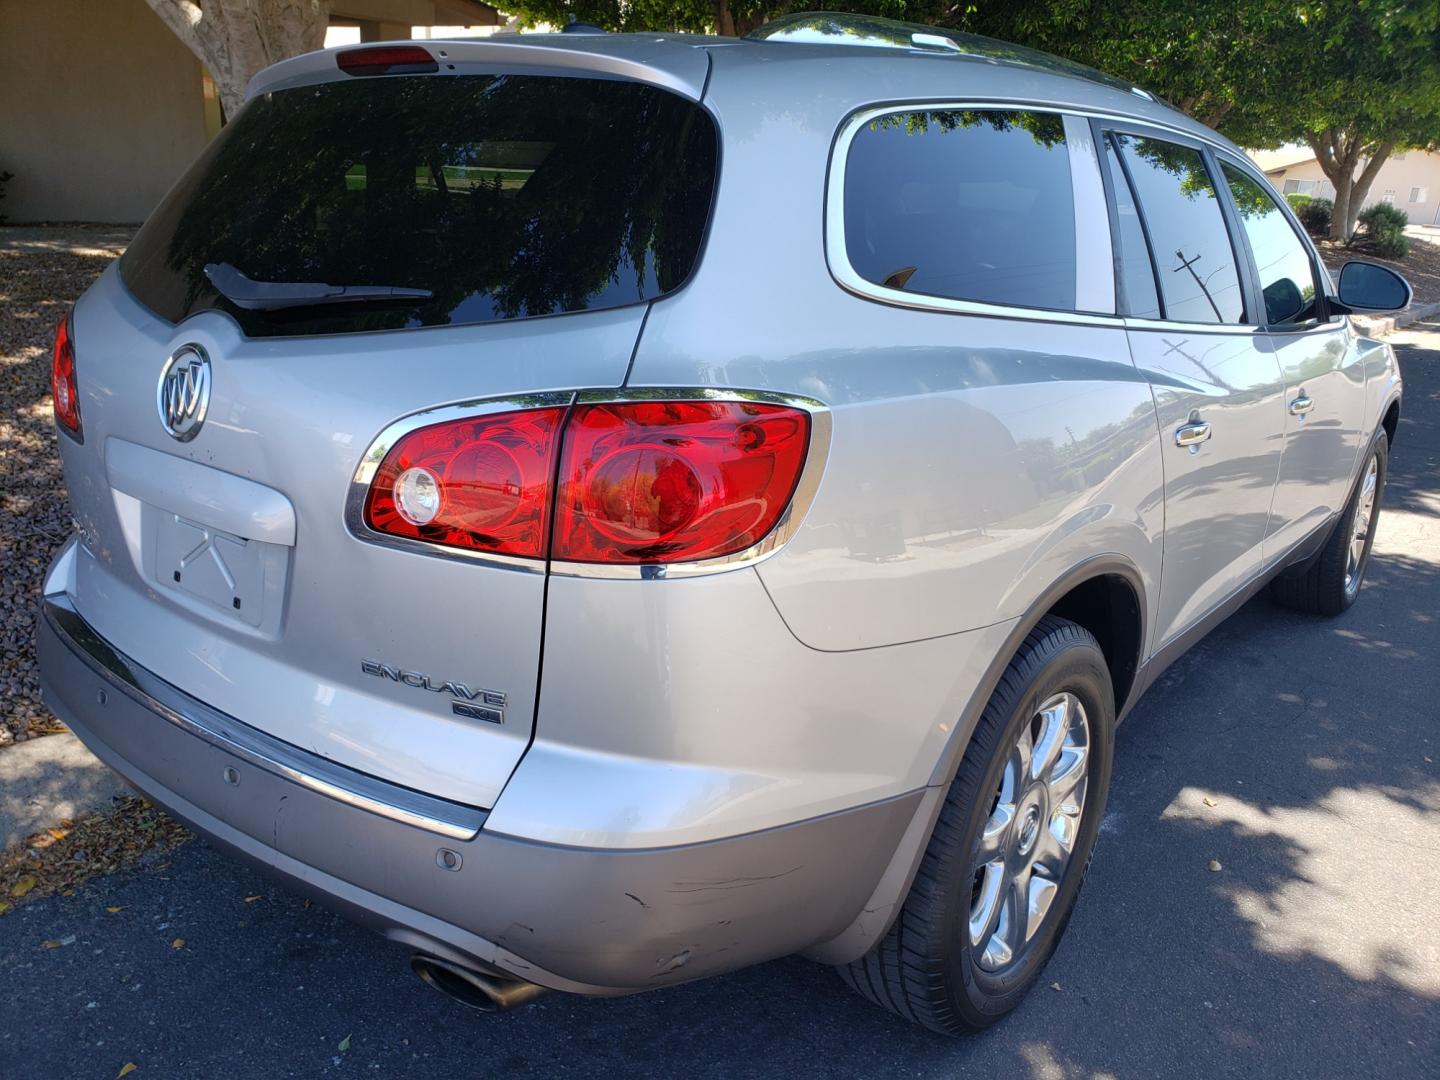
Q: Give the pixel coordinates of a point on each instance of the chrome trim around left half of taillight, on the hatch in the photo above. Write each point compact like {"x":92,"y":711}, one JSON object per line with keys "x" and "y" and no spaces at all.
{"x":398,"y":430}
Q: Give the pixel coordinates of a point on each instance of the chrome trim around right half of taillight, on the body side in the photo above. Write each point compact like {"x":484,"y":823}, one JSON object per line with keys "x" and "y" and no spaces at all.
{"x":773,"y":542}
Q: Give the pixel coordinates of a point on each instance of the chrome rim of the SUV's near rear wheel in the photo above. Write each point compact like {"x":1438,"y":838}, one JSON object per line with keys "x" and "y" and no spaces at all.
{"x":1030,"y":836}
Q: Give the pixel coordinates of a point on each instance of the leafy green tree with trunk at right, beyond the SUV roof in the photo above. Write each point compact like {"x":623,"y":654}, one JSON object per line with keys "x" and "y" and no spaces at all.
{"x":1354,"y":80}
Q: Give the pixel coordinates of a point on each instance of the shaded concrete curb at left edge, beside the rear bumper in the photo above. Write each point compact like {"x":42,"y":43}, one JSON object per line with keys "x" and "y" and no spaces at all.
{"x":45,"y":781}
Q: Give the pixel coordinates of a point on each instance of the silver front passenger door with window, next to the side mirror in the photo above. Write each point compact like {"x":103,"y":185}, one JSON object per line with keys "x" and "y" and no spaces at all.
{"x":1324,"y":377}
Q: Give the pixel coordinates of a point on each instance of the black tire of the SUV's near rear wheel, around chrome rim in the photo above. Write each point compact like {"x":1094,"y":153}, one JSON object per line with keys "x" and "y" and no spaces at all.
{"x":927,"y":970}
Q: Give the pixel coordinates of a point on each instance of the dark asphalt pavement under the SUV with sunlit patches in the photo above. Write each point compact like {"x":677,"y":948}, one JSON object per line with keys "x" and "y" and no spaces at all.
{"x":1313,"y":953}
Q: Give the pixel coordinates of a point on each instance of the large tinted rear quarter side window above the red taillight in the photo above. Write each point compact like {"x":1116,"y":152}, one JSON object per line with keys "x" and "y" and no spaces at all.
{"x":964,"y":204}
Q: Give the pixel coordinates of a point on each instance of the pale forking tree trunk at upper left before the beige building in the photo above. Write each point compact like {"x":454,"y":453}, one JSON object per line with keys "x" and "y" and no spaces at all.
{"x":235,"y":40}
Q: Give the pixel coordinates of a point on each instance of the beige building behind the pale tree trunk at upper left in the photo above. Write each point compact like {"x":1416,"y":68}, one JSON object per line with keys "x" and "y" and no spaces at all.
{"x":102,"y":107}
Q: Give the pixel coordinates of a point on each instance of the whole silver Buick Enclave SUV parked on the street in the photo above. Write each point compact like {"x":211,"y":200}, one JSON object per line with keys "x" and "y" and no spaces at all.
{"x":607,"y":510}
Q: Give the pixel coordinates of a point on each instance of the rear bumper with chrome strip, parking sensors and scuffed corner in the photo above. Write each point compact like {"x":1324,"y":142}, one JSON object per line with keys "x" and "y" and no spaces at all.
{"x":580,"y":919}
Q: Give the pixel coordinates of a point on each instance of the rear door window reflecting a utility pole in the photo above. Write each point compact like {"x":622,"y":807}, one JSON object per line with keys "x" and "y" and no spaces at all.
{"x":1193,"y":256}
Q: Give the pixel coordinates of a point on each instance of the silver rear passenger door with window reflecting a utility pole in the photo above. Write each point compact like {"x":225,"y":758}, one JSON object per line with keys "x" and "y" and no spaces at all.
{"x":1218,"y":385}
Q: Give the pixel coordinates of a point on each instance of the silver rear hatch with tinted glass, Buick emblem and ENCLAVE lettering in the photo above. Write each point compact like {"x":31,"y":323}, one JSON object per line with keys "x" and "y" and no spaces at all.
{"x":525,"y":222}
